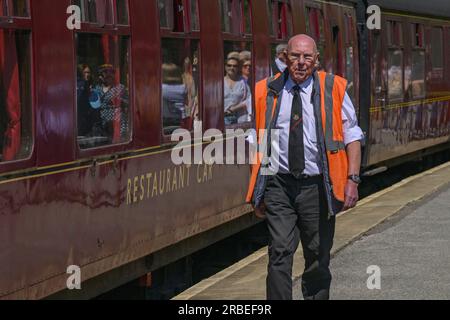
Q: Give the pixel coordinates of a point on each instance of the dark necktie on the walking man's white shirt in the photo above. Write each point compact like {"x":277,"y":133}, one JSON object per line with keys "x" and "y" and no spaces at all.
{"x":296,"y":144}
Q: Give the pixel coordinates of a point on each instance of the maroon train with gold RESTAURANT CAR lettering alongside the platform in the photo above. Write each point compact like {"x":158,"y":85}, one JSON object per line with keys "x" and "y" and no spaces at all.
{"x":86,"y":176}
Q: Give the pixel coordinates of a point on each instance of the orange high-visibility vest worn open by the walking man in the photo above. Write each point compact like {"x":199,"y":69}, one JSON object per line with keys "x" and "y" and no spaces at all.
{"x":332,"y":94}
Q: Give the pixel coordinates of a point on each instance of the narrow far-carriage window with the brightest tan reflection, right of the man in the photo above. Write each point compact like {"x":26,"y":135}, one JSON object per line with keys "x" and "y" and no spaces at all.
{"x":395,"y":74}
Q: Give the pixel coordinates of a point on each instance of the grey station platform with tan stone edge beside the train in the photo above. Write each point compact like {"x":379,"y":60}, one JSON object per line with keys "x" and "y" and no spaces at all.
{"x":404,"y":230}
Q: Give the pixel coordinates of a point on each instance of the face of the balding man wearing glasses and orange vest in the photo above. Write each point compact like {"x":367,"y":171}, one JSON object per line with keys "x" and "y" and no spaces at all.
{"x":302,"y":59}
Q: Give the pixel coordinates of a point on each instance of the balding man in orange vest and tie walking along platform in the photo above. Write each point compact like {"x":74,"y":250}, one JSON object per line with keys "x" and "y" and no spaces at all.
{"x":314,"y":168}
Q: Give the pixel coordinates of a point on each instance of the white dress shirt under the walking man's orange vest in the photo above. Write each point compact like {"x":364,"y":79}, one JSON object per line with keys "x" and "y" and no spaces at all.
{"x":279,"y":161}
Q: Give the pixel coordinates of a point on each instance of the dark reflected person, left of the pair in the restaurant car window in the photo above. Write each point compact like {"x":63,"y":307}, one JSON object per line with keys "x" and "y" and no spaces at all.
{"x":86,"y":115}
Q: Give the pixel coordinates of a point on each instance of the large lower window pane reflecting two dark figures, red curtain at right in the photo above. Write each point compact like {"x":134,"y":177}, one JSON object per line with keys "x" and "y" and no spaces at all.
{"x":102,"y":89}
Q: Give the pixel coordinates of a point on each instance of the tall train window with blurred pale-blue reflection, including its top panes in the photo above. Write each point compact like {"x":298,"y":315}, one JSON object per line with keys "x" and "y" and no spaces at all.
{"x":180,"y":82}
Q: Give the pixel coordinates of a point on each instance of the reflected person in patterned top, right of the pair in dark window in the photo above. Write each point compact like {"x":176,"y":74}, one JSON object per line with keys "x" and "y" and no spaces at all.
{"x":111,"y":98}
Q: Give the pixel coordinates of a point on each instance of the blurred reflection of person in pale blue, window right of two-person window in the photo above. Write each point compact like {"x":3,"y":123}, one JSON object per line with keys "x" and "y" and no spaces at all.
{"x":175,"y":96}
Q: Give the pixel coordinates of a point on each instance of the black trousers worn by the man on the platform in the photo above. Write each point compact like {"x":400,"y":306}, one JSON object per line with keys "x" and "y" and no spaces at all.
{"x":296,"y":210}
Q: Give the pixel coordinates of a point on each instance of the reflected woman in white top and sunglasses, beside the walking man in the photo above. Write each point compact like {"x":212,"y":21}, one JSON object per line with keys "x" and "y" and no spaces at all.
{"x":237,"y":94}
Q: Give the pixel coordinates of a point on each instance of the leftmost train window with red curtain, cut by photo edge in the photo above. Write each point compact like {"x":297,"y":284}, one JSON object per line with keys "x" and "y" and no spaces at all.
{"x":16,"y":136}
